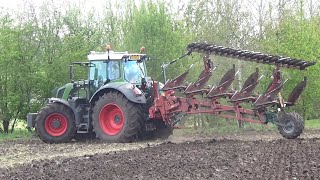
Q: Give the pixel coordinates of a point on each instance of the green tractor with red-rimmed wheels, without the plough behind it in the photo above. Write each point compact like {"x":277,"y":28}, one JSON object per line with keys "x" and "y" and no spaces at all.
{"x":112,"y":104}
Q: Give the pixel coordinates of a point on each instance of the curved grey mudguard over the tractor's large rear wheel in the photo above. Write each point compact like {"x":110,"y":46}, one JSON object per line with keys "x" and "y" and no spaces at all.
{"x":127,"y":89}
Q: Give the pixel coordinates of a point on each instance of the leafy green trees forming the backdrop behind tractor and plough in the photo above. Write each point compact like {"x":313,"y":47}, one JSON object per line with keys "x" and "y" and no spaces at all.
{"x":37,"y":43}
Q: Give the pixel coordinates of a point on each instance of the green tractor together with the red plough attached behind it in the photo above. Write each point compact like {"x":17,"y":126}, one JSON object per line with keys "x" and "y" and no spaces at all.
{"x":120,"y":103}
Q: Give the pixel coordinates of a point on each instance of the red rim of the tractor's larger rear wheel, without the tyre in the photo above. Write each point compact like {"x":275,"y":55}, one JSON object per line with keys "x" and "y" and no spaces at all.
{"x":111,"y":119}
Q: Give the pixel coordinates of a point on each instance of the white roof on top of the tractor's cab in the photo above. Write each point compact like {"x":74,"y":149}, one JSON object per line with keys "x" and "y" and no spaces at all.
{"x":112,"y":55}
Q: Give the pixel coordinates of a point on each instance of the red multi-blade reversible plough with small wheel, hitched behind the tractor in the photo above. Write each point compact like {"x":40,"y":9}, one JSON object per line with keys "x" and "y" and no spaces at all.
{"x":267,"y":107}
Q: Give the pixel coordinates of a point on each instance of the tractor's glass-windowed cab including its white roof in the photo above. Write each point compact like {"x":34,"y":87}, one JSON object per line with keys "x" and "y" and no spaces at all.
{"x":113,"y":66}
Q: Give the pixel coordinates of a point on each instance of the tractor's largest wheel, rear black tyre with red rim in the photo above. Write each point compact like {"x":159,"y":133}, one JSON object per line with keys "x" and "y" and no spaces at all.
{"x":116,"y":119}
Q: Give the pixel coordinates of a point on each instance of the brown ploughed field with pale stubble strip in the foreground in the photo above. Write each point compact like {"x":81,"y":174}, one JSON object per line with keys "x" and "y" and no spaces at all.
{"x":244,"y":156}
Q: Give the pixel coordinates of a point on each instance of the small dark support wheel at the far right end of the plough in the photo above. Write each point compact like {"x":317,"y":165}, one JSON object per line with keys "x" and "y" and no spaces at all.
{"x":294,"y":125}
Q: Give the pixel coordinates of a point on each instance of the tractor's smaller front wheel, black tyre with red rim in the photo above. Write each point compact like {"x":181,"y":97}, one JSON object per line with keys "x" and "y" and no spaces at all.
{"x":55,"y":124}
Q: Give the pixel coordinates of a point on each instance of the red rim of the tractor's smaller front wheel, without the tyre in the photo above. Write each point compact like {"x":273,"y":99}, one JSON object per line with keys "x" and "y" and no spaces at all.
{"x":56,"y":124}
